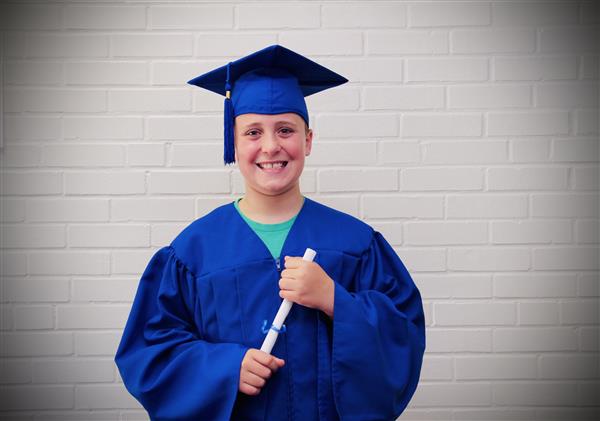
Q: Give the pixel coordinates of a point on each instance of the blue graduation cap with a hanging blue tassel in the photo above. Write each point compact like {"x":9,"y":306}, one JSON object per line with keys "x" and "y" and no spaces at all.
{"x":273,"y":80}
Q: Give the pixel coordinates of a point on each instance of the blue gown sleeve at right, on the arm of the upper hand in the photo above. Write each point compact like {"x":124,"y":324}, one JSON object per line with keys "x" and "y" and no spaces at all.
{"x":378,"y":338}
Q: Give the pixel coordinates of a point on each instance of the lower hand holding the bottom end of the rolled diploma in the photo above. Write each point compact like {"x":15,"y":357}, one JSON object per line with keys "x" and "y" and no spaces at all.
{"x":257,"y":366}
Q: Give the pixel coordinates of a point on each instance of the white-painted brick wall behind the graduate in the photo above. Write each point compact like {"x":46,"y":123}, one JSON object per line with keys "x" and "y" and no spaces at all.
{"x":468,"y":135}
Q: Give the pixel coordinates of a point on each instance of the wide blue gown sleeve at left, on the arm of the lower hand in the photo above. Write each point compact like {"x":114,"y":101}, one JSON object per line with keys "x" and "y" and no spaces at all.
{"x":163,"y":360}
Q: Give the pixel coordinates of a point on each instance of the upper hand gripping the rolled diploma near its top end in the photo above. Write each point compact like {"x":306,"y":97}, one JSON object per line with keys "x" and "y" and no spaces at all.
{"x":306,"y":283}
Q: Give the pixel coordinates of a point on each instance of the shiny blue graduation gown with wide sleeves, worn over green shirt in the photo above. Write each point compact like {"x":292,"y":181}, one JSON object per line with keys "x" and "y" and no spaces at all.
{"x":202,"y":301}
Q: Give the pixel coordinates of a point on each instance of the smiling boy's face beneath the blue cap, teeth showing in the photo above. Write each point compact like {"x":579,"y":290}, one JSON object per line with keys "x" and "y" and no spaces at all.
{"x":270,"y":151}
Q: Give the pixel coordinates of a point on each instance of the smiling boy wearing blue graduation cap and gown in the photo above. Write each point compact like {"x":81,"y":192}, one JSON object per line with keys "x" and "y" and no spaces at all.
{"x":354,"y":340}
